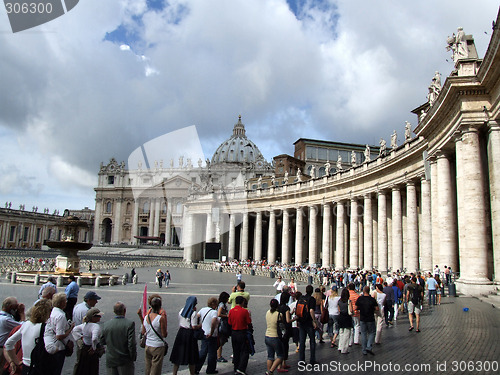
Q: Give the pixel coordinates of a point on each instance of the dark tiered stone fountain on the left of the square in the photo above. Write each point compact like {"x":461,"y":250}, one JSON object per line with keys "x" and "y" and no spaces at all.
{"x":68,"y":262}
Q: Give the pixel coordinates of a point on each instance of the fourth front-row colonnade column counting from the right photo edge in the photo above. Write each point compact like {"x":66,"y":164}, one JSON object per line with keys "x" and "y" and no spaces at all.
{"x":425,"y":227}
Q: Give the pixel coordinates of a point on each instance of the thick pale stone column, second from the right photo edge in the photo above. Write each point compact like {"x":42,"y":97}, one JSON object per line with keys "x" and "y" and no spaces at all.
{"x":474,"y":252}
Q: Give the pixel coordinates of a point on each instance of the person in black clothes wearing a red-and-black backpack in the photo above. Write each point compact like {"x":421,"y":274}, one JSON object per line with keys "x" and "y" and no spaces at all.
{"x":304,"y":310}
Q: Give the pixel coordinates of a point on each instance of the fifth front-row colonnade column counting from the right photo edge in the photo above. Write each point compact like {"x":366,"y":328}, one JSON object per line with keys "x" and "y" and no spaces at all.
{"x":411,"y":227}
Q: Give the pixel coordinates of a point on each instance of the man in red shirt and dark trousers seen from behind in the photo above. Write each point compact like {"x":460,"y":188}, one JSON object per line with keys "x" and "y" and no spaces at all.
{"x":239,"y":319}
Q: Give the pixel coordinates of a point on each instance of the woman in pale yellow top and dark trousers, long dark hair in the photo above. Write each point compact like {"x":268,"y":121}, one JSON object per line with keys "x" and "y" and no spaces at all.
{"x":273,"y":343}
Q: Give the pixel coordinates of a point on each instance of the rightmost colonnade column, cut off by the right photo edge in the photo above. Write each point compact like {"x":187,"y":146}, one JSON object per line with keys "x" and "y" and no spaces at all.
{"x":493,"y":148}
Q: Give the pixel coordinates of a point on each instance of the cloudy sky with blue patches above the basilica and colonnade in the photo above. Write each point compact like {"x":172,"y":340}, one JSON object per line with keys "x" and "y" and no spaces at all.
{"x":110,"y":75}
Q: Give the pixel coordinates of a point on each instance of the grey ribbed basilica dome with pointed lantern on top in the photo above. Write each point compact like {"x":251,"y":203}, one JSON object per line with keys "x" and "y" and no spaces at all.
{"x":239,"y":149}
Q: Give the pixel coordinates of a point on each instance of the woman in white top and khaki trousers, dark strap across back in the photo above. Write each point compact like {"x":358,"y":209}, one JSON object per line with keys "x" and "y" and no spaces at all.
{"x":155,"y":328}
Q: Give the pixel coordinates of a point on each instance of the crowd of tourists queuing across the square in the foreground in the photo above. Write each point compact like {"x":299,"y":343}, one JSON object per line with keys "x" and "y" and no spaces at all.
{"x":350,"y":312}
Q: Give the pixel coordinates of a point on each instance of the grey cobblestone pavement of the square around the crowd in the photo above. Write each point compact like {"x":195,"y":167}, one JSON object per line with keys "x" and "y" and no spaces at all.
{"x":452,"y":341}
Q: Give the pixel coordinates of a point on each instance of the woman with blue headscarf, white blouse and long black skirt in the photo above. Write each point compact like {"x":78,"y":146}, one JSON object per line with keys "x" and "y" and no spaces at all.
{"x":185,"y":349}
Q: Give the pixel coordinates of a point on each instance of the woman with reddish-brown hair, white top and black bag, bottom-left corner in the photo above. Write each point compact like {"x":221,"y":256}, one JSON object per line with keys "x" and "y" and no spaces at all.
{"x":31,"y":336}
